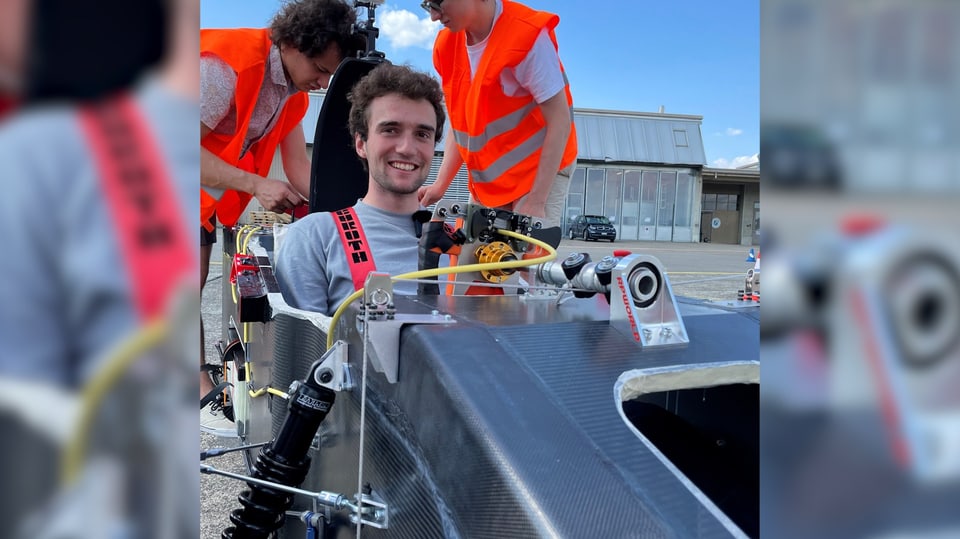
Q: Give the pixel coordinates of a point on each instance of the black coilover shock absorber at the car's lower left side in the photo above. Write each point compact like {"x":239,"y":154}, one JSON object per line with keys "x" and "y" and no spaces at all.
{"x":285,"y":460}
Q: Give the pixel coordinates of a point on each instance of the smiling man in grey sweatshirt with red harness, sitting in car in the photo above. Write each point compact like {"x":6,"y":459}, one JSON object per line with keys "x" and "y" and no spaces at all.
{"x":396,"y":119}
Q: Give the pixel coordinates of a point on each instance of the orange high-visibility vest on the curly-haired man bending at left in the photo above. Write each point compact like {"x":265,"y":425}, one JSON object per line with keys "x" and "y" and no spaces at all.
{"x":246,"y":51}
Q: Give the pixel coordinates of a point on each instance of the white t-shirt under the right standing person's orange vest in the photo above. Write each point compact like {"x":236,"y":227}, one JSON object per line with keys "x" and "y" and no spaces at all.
{"x":538,"y":74}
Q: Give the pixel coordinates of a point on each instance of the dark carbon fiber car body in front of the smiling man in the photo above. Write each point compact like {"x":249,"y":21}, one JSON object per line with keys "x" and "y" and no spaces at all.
{"x":506,"y":423}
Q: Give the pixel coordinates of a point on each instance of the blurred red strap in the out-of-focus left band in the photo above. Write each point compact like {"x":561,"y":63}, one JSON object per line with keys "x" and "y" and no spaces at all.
{"x":150,"y":223}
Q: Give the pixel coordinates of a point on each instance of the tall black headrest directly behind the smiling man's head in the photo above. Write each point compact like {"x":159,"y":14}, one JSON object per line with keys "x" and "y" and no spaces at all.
{"x":337,"y":177}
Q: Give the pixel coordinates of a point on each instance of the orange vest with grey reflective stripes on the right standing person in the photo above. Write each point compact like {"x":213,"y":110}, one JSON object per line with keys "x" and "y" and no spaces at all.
{"x":499,"y":137}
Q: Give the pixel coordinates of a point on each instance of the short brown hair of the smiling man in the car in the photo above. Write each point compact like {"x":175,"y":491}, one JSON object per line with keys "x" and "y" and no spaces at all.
{"x":387,"y":79}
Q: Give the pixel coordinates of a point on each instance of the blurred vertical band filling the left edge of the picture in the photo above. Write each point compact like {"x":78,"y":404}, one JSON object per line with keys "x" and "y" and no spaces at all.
{"x":94,"y":376}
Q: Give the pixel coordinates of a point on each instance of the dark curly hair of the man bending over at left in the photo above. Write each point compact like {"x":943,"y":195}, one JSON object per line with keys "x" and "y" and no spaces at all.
{"x":314,"y":25}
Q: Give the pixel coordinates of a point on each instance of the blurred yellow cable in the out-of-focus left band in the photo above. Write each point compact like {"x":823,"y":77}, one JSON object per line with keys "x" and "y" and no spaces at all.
{"x":129,"y":350}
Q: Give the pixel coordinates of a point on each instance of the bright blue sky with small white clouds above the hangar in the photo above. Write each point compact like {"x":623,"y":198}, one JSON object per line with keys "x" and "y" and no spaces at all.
{"x":697,"y":57}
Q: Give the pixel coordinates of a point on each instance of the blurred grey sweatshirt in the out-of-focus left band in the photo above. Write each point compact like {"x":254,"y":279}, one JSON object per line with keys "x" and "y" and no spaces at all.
{"x":67,"y":296}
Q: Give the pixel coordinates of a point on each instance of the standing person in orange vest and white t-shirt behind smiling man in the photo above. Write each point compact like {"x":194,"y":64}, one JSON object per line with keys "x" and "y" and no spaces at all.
{"x":509,"y":103}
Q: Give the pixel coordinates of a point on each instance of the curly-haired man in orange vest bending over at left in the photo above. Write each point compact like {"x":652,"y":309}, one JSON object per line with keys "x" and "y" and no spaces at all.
{"x":253,"y":96}
